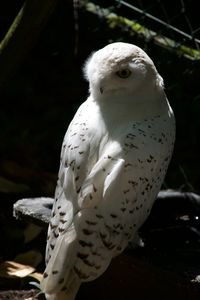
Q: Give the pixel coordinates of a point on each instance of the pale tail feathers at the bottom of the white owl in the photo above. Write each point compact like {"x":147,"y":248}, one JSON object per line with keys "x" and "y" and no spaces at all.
{"x":59,"y":281}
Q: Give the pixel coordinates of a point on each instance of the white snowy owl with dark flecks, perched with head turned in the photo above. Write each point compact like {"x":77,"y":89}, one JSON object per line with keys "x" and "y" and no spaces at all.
{"x":113,"y":161}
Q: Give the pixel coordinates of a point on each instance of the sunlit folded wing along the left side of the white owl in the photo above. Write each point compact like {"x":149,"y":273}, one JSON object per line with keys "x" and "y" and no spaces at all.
{"x":79,"y":176}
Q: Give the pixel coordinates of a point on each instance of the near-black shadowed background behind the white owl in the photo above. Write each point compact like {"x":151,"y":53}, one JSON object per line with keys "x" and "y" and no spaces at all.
{"x":41,"y":96}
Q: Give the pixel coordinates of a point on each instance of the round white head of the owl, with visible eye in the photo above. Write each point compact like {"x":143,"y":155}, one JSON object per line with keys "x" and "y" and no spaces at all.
{"x":120,"y":68}
